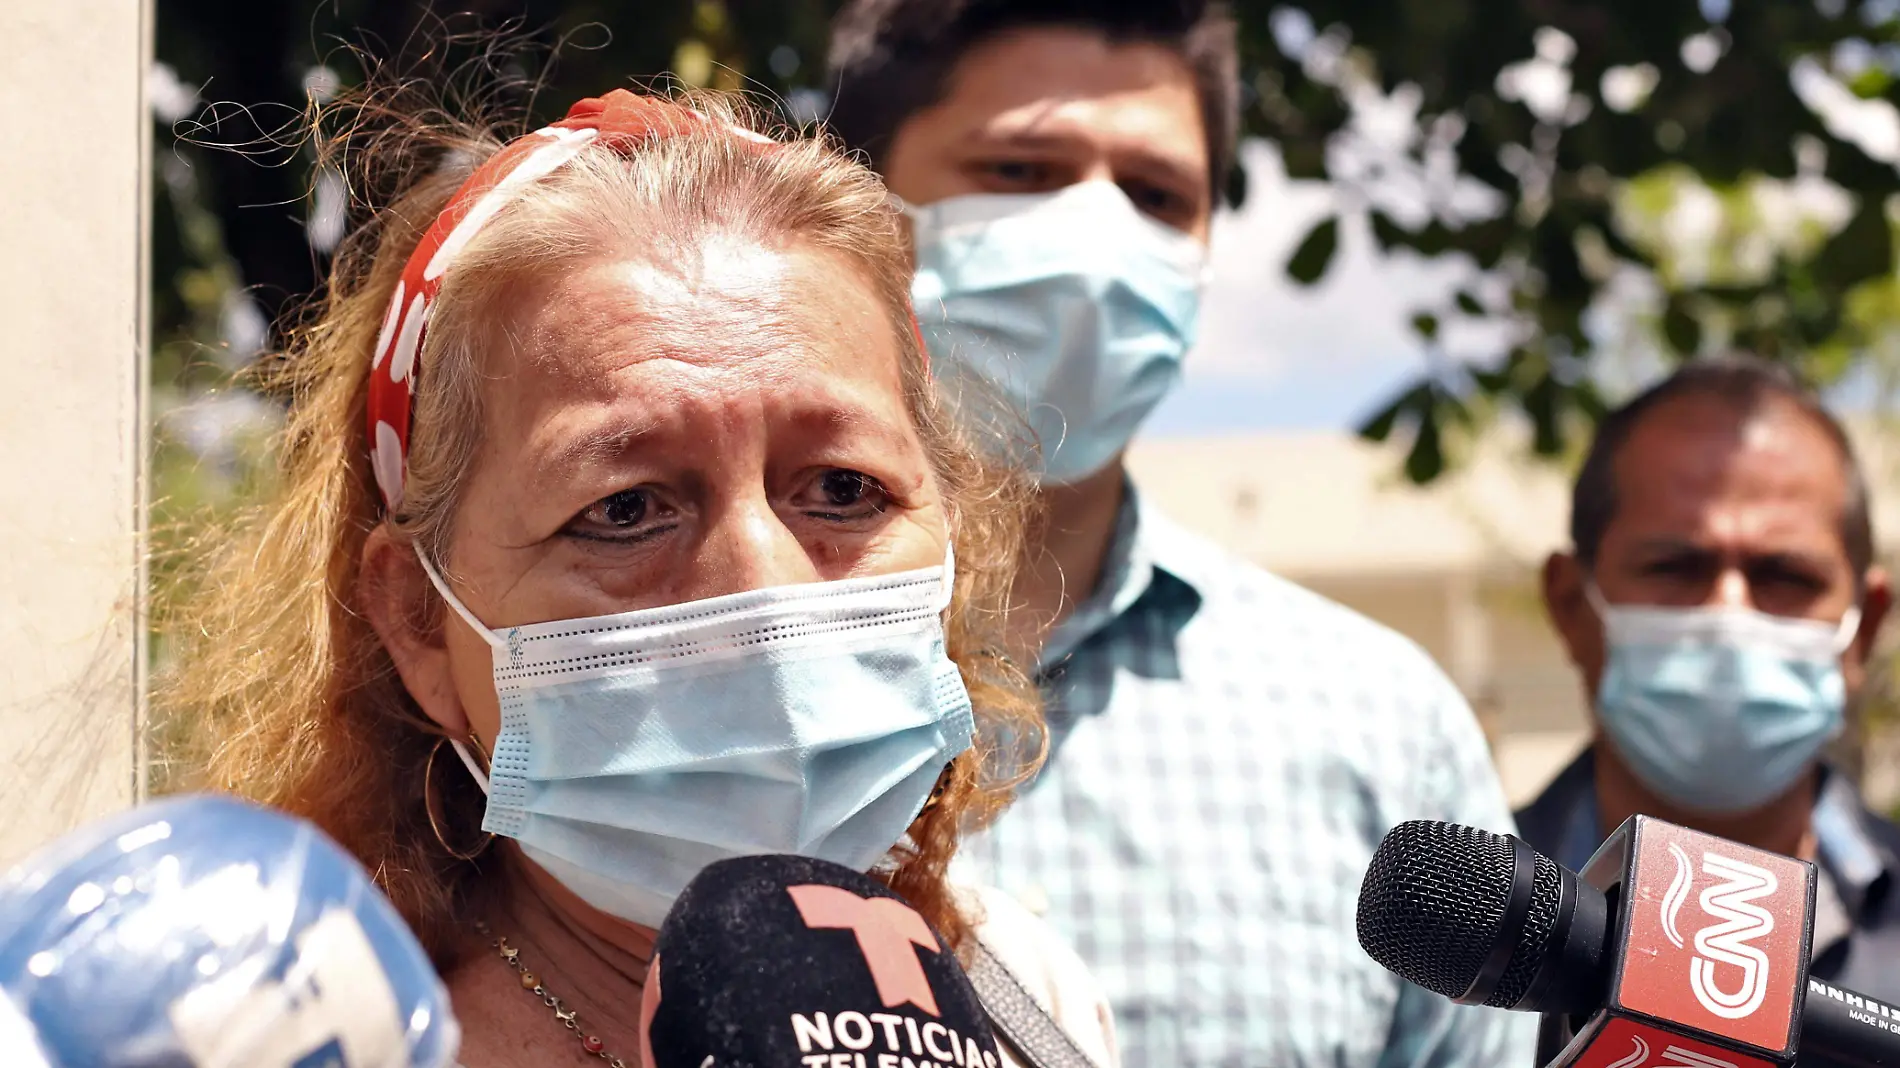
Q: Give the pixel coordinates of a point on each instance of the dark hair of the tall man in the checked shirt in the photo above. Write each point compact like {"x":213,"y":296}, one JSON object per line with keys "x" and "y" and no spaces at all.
{"x":894,"y":58}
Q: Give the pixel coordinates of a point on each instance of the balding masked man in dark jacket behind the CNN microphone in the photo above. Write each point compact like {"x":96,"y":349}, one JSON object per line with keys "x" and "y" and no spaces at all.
{"x":1720,"y":603}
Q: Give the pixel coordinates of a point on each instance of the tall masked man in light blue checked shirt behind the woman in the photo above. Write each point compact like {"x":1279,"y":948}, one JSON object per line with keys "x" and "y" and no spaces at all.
{"x":1226,"y":750}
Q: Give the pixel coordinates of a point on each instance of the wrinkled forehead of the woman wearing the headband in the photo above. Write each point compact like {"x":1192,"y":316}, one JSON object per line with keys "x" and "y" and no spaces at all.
{"x":632,"y":351}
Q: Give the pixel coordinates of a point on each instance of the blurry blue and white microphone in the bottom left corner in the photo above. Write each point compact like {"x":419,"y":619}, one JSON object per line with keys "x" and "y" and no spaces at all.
{"x":204,"y":932}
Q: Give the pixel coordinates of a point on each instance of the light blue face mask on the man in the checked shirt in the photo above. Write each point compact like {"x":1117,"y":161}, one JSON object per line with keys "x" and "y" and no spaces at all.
{"x":1073,"y":309}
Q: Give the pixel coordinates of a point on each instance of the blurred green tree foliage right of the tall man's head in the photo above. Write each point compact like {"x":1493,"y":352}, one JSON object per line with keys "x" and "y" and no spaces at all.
{"x":1720,"y":174}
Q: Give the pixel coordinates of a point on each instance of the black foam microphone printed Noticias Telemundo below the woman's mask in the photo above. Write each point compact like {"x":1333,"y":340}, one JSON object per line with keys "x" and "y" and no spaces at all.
{"x":770,"y":963}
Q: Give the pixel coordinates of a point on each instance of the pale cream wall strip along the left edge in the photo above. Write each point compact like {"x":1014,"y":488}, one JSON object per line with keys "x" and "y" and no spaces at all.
{"x":73,"y":235}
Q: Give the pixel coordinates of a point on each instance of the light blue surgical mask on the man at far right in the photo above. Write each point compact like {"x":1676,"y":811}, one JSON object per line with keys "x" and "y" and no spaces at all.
{"x":1720,"y":710}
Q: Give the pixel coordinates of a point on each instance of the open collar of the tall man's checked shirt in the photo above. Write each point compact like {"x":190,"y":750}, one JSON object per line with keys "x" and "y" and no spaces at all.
{"x":1147,"y":563}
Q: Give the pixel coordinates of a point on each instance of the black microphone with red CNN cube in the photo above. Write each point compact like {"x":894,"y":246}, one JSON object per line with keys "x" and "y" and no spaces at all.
{"x":1671,"y":949}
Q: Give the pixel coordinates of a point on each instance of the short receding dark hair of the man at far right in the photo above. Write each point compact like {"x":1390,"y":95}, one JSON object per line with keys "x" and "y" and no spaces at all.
{"x":1747,"y":387}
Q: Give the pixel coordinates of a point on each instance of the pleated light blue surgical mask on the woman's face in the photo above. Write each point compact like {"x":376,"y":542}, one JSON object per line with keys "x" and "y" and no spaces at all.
{"x":803,"y":719}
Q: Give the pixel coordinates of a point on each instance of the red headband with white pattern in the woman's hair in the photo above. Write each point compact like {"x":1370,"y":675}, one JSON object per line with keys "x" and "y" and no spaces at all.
{"x":620,"y":119}
